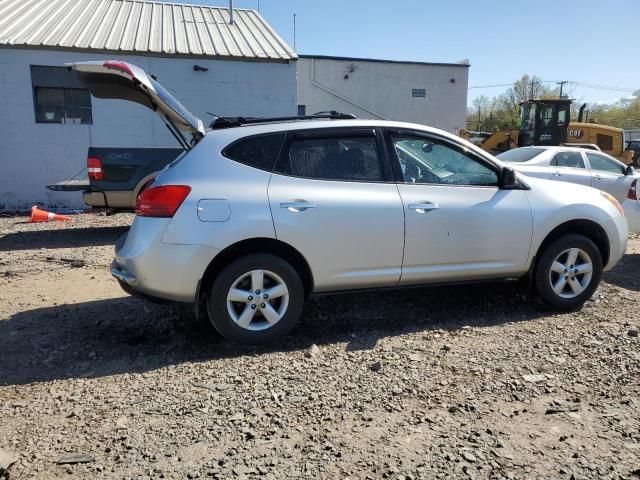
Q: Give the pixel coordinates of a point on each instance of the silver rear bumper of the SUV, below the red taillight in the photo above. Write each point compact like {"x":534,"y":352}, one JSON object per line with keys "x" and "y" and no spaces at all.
{"x":147,"y":266}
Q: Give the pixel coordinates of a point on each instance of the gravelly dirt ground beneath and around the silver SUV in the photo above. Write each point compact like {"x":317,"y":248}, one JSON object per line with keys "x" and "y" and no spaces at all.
{"x":457,"y":382}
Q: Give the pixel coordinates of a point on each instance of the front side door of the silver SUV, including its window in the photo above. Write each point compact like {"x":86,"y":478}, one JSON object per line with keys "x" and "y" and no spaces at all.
{"x":459,"y":225}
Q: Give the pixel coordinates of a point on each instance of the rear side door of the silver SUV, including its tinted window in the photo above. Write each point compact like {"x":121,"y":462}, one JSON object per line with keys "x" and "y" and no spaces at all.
{"x":333,"y":198}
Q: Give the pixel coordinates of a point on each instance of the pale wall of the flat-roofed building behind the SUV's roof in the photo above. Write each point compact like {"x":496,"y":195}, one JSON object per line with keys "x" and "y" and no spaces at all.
{"x":383,"y":90}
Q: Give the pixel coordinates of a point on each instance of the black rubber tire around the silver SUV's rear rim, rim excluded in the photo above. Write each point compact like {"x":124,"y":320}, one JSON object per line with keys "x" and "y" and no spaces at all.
{"x":225,"y":324}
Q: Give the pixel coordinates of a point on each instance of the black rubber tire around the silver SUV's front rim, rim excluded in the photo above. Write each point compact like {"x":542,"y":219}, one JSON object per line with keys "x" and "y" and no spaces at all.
{"x":549,"y":255}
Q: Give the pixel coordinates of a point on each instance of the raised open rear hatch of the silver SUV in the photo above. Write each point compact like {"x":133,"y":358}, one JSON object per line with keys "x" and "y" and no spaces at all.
{"x":124,"y":81}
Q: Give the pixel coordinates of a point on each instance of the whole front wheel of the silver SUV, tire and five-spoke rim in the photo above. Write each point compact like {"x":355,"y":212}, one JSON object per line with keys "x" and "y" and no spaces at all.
{"x":568,"y":272}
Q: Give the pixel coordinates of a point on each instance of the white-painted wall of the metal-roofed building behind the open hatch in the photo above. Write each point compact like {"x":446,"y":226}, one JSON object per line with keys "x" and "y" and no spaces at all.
{"x":33,"y":155}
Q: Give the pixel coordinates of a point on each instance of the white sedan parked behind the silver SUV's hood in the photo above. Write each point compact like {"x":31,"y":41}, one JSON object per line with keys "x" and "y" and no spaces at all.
{"x":583,"y":166}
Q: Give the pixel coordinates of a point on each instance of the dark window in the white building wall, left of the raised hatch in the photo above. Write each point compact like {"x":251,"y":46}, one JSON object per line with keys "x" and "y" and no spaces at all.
{"x":58,"y":96}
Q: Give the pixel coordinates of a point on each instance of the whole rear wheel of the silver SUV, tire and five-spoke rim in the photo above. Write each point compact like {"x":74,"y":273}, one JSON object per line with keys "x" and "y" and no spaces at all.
{"x":256,"y":299}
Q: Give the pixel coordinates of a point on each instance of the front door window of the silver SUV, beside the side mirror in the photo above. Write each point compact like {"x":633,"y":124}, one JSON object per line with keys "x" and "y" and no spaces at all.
{"x":431,"y":162}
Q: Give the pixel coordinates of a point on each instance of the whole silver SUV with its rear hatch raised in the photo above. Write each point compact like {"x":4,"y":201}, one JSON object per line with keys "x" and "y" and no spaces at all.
{"x":258,"y":214}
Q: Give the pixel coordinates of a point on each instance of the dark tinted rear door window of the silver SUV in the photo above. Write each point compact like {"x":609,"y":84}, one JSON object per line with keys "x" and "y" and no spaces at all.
{"x":334,"y":158}
